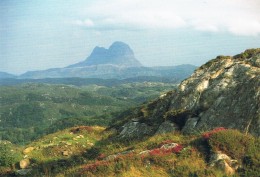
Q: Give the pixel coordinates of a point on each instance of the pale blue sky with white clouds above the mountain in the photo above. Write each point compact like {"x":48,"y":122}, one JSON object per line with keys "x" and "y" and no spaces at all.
{"x":37,"y":35}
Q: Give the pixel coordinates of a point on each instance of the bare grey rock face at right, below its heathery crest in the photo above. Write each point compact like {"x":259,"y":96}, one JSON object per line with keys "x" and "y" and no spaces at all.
{"x":222,"y":93}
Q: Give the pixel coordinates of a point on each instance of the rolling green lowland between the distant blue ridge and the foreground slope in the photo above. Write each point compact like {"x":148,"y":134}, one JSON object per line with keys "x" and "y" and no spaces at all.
{"x":31,"y":110}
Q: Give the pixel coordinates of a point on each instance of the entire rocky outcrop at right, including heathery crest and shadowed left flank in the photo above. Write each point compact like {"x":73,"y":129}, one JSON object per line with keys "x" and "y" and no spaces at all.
{"x":224,"y":92}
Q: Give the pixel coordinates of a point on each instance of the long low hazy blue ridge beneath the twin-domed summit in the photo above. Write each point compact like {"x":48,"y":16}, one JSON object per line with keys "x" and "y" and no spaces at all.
{"x":113,"y":72}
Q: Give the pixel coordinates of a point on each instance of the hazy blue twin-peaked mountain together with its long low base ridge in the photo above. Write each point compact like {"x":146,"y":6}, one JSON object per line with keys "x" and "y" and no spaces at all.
{"x":118,"y":62}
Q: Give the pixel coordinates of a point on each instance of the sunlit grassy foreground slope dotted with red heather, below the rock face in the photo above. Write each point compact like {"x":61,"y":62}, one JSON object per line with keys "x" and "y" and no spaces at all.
{"x":92,"y":150}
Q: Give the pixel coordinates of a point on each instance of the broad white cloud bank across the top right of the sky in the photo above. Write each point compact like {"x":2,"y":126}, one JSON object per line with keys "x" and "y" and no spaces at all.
{"x":240,"y":17}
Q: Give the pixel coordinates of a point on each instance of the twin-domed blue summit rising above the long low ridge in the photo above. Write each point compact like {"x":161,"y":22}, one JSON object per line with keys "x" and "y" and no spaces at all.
{"x":119,"y":53}
